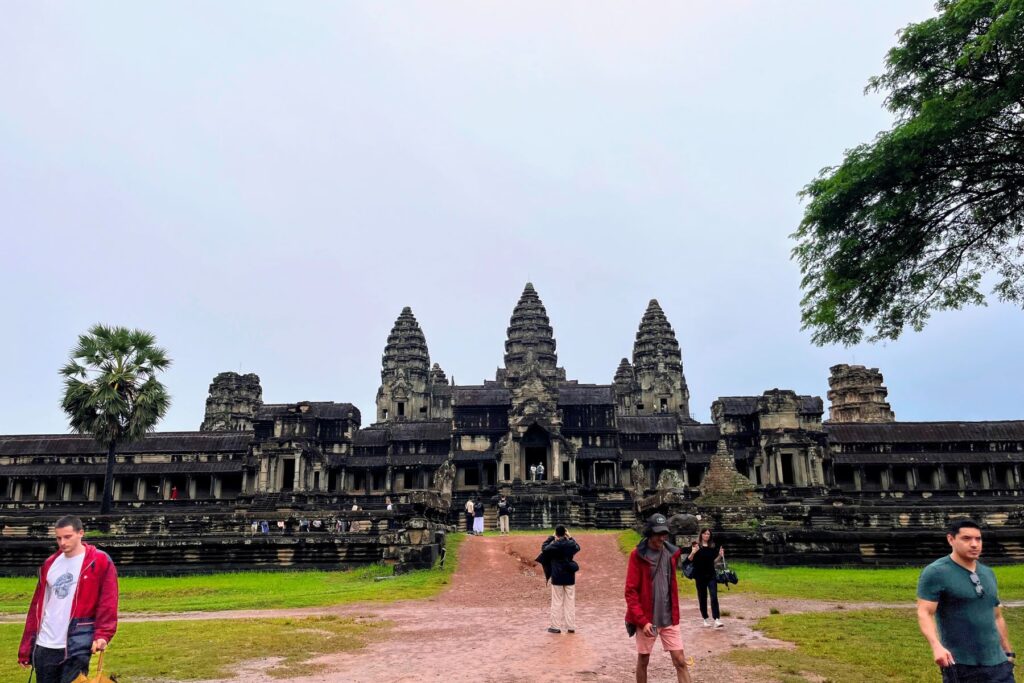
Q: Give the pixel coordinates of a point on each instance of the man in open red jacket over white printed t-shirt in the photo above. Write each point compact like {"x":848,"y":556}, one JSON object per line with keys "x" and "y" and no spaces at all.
{"x":74,"y":611}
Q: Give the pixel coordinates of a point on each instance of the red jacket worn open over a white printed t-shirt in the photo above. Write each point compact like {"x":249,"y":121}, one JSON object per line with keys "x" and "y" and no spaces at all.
{"x":94,"y":613}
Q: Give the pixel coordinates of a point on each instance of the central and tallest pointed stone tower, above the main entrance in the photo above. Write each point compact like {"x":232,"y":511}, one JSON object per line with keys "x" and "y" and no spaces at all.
{"x":530,"y":348}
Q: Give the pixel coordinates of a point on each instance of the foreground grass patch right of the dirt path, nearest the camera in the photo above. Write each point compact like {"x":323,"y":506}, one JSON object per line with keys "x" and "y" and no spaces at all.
{"x":863,"y":647}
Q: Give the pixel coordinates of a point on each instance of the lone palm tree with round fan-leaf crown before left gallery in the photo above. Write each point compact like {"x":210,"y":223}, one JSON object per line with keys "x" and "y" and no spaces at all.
{"x":112,"y":392}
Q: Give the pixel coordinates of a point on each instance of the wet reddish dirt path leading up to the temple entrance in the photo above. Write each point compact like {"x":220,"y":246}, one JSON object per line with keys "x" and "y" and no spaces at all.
{"x":491,"y":627}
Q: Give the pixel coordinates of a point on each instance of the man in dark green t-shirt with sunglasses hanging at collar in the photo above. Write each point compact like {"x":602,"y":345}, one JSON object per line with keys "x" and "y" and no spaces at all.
{"x":959,"y":613}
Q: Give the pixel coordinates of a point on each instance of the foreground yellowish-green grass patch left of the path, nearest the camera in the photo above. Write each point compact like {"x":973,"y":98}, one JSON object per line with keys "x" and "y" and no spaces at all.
{"x":205,"y":651}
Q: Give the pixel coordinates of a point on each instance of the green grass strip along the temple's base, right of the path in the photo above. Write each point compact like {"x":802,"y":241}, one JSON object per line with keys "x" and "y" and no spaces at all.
{"x":840,"y":584}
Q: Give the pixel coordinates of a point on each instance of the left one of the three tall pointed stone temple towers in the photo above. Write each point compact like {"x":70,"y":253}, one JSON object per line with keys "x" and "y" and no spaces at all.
{"x":405,"y":392}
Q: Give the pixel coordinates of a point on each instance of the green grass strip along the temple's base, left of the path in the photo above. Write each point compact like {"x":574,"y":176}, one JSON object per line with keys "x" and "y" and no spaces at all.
{"x":257,"y":590}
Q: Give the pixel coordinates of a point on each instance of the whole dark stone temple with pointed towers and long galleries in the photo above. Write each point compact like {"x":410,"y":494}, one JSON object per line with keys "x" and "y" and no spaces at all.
{"x":605,"y":449}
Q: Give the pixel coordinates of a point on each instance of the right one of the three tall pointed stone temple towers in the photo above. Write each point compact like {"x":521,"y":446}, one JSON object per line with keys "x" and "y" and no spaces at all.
{"x":658,"y":367}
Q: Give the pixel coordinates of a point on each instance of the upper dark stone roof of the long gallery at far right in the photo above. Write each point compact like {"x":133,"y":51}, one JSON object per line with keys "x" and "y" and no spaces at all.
{"x":925,"y":433}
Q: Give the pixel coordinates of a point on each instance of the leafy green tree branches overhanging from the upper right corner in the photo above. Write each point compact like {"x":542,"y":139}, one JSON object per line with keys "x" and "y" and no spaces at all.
{"x":911,"y":223}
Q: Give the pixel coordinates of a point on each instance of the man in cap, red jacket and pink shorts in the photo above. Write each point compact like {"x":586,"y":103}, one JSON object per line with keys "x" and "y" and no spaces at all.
{"x":653,"y":599}
